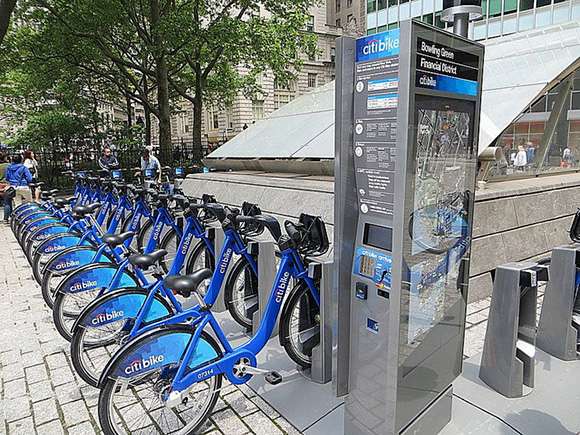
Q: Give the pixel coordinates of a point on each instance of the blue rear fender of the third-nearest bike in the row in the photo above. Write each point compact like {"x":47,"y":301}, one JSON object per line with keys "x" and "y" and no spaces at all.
{"x":94,"y":276}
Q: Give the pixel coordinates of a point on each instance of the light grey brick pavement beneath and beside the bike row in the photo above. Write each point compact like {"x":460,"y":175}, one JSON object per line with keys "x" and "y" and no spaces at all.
{"x":41,"y":394}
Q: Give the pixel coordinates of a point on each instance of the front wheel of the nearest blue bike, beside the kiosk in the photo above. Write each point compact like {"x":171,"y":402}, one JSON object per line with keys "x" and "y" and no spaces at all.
{"x":300,"y":325}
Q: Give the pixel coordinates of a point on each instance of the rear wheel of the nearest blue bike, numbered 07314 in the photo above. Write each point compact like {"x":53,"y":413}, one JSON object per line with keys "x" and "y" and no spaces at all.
{"x":130,"y":398}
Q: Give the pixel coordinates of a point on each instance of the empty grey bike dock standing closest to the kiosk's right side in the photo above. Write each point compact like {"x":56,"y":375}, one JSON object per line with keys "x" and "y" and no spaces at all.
{"x":508,"y":358}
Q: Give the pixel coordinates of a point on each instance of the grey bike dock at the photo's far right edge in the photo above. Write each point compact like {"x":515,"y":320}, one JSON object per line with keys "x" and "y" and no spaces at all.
{"x":556,"y":335}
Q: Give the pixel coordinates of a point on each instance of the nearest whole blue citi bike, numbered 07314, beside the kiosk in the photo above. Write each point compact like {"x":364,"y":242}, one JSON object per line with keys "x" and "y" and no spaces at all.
{"x":167,"y":380}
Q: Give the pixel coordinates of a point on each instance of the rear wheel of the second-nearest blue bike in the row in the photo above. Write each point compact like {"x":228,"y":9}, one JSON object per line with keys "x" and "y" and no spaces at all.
{"x":92,"y":347}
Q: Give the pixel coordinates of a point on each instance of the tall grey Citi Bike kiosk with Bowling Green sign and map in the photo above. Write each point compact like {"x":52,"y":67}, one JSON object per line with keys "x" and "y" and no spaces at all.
{"x":407,"y":123}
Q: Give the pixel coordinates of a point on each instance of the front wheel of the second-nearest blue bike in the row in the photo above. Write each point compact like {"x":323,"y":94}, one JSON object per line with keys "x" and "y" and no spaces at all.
{"x":241,"y":292}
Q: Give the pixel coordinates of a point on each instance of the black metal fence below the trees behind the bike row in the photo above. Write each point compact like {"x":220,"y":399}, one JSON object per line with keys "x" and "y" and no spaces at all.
{"x":52,"y":164}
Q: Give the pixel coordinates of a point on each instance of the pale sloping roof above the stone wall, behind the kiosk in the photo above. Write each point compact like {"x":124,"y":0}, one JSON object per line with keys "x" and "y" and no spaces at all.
{"x":518,"y":69}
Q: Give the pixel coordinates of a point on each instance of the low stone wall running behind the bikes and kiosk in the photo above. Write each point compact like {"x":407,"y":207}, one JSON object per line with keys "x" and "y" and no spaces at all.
{"x":514,"y":220}
